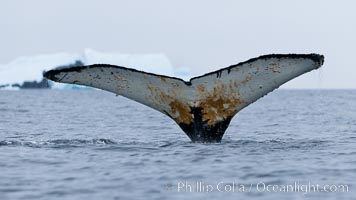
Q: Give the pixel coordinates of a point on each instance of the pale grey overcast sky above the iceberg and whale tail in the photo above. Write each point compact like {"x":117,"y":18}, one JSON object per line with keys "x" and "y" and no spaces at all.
{"x":202,"y":35}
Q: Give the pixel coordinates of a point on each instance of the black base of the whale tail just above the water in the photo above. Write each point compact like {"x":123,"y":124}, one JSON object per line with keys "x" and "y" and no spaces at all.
{"x":201,"y":131}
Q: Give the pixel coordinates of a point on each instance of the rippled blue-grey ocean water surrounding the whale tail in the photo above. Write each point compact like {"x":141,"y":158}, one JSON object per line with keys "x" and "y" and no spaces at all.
{"x":291,"y":144}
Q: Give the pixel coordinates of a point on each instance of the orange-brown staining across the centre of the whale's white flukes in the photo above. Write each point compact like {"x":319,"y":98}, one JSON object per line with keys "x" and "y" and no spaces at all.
{"x":216,"y":104}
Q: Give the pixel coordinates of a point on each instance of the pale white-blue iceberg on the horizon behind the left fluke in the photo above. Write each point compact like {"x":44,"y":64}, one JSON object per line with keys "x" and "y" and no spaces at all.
{"x":30,"y":68}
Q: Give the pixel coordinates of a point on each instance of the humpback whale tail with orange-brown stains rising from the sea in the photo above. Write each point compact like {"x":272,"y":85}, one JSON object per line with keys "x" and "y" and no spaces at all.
{"x":204,"y":106}
